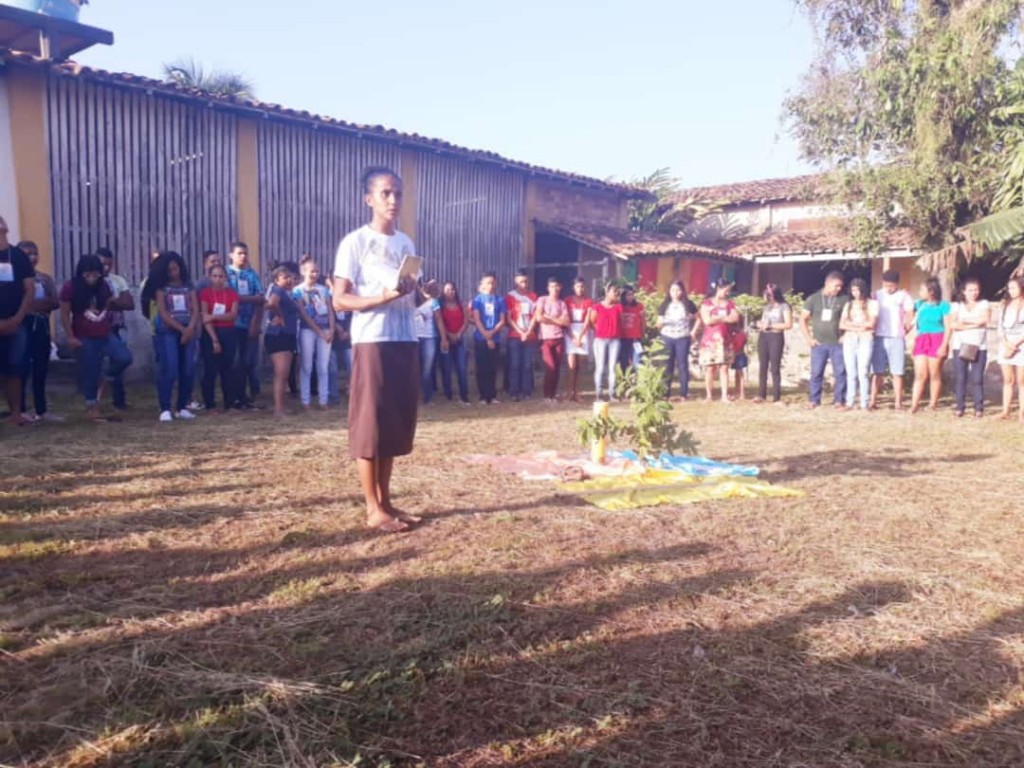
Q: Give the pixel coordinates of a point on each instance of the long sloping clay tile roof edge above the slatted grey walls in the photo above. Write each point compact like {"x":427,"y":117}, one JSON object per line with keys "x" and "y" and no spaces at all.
{"x":73,"y":69}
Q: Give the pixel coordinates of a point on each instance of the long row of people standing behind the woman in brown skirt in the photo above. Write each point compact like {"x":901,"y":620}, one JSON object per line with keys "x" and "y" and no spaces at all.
{"x":215,"y":326}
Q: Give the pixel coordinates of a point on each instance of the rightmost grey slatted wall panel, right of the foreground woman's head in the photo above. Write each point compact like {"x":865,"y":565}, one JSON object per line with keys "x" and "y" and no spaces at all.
{"x":471,"y":221}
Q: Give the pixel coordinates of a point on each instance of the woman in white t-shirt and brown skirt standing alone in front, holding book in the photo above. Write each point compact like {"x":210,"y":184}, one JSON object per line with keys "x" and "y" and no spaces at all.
{"x":386,"y":378}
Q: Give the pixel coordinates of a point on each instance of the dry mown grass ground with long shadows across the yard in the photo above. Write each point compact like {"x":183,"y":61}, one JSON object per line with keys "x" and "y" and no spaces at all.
{"x":204,"y":594}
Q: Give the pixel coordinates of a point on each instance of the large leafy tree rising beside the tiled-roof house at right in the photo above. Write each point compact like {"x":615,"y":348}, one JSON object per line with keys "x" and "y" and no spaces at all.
{"x":911,"y":101}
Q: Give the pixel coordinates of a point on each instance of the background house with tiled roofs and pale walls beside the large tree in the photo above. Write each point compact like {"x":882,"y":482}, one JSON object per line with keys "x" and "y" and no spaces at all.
{"x":790,"y":234}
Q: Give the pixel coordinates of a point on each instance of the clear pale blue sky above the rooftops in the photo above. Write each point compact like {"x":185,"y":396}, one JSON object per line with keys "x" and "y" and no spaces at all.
{"x":613,"y":89}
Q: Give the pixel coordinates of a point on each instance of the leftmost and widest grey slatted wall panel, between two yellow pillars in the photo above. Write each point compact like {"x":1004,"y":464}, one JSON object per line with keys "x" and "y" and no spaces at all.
{"x":138,"y":173}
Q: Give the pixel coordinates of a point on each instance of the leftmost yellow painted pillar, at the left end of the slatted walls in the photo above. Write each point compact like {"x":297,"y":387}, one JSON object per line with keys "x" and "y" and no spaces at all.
{"x":27,"y":95}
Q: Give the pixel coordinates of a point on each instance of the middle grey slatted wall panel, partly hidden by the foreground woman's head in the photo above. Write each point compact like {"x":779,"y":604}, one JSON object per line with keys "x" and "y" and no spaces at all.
{"x":310,"y":195}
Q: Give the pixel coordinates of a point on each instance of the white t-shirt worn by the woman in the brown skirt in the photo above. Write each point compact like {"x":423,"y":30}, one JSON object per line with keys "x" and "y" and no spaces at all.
{"x":371,"y":262}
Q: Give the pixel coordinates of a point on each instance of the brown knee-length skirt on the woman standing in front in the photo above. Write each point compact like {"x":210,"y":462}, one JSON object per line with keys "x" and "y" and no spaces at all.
{"x":383,"y":399}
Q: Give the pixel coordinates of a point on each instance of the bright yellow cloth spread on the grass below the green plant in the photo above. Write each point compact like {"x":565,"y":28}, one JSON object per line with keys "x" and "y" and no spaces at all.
{"x":659,"y":487}
